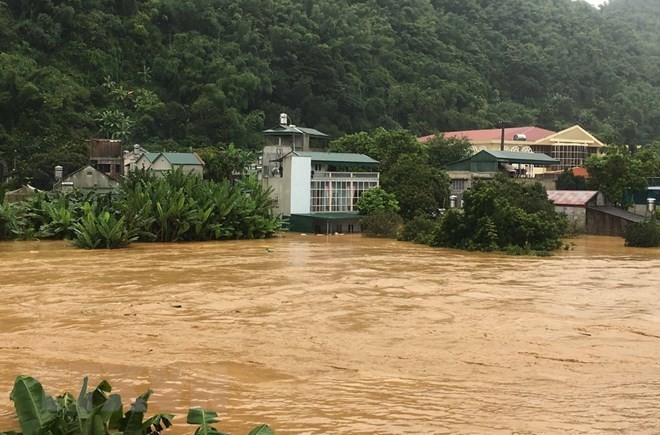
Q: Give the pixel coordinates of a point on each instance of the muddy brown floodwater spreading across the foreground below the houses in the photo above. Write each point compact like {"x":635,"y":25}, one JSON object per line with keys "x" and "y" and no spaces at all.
{"x":343,"y":334}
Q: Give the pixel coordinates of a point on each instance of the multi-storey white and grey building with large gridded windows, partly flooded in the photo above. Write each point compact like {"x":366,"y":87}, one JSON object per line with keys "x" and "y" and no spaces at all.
{"x":315,"y":189}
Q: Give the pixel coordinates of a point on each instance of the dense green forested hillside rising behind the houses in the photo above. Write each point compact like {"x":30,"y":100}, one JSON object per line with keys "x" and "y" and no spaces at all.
{"x":178,"y":74}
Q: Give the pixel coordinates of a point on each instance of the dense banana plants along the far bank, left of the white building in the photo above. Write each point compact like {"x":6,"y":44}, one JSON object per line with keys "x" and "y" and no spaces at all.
{"x":174,"y":207}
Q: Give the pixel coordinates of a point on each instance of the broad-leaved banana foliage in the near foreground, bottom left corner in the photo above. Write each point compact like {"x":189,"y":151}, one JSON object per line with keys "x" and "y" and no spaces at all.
{"x":97,"y":412}
